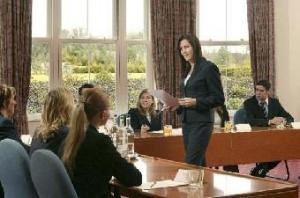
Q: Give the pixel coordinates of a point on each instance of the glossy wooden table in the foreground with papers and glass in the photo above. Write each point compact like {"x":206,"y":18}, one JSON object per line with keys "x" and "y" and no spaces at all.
{"x":216,"y":183}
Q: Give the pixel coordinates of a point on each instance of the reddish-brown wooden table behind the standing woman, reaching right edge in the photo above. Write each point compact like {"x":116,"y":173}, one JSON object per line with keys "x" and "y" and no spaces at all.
{"x":259,"y":145}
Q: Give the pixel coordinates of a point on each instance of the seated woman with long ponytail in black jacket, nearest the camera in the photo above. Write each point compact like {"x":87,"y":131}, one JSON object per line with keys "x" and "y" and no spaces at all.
{"x":89,"y":156}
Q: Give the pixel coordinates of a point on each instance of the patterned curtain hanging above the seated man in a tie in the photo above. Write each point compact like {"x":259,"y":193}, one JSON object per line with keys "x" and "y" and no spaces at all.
{"x":261,"y":40}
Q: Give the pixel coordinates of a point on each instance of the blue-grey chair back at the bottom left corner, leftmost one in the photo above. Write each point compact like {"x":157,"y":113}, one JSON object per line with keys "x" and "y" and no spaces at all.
{"x":14,"y":170}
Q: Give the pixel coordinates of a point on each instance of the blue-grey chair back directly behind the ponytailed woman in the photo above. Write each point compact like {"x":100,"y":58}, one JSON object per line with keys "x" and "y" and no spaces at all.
{"x":49,"y":176}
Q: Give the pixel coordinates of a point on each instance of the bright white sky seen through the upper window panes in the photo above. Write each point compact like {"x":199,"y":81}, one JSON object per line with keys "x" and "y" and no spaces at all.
{"x":96,"y":16}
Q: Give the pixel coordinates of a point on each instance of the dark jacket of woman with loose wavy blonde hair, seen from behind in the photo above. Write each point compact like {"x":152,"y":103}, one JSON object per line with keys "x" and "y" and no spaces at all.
{"x":52,"y":143}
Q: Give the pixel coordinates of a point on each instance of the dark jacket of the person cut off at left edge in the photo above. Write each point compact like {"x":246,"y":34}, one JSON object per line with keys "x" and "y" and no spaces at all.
{"x":8,"y":130}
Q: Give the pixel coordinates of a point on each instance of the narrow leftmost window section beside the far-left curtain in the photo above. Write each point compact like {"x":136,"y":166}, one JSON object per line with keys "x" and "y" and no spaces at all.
{"x":40,"y":55}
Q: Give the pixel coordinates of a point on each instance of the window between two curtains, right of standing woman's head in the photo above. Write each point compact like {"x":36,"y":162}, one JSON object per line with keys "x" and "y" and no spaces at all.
{"x":223,"y":33}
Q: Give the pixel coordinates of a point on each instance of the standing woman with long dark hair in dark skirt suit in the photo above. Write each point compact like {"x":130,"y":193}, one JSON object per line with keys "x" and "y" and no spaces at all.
{"x":201,"y":90}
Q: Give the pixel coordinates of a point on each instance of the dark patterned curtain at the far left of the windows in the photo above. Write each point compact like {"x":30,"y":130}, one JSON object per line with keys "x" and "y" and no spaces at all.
{"x":15,"y":53}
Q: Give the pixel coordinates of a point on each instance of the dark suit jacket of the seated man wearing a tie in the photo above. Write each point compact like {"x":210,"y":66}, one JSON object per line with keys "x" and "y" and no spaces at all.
{"x":255,"y":114}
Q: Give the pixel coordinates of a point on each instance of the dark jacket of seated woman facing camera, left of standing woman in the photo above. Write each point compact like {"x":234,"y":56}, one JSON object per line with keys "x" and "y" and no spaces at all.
{"x":137,"y":120}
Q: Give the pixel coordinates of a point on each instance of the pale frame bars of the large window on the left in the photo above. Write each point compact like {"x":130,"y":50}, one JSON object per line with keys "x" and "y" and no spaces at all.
{"x":55,"y":46}
